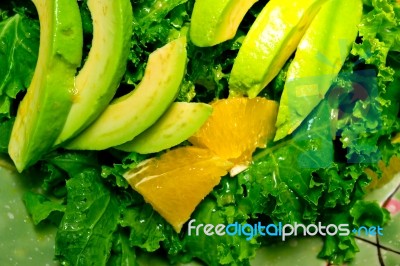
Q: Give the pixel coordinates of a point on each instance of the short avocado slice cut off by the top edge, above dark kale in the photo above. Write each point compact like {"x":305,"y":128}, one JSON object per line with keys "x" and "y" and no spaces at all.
{"x":213,"y":22}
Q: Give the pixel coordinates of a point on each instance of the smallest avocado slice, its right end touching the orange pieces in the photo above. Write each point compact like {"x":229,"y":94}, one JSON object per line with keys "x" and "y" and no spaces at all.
{"x":179,"y":122}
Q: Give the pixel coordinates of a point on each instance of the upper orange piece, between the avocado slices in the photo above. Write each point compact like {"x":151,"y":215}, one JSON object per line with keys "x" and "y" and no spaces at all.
{"x":237,"y":127}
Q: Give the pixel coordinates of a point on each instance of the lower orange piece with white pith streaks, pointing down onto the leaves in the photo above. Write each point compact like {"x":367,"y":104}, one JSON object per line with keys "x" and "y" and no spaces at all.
{"x":175,"y":183}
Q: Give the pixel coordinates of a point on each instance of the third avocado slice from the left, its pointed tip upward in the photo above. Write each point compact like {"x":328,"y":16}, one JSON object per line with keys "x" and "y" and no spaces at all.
{"x":131,"y":114}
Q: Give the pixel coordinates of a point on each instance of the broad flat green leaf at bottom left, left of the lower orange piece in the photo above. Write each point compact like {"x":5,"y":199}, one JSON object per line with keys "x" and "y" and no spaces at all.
{"x":86,"y":231}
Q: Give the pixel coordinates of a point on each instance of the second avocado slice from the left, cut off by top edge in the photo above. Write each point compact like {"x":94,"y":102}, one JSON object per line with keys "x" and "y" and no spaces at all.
{"x":101,"y":74}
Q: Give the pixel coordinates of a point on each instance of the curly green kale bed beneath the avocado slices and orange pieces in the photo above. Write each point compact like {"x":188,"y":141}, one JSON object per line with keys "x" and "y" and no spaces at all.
{"x":318,"y":174}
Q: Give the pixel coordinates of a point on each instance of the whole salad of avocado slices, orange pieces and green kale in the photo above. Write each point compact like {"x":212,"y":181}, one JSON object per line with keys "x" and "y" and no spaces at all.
{"x":330,"y":148}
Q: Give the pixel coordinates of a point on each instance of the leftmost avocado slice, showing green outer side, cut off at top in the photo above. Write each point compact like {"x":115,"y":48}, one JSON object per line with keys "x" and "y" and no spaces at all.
{"x":44,"y":109}
